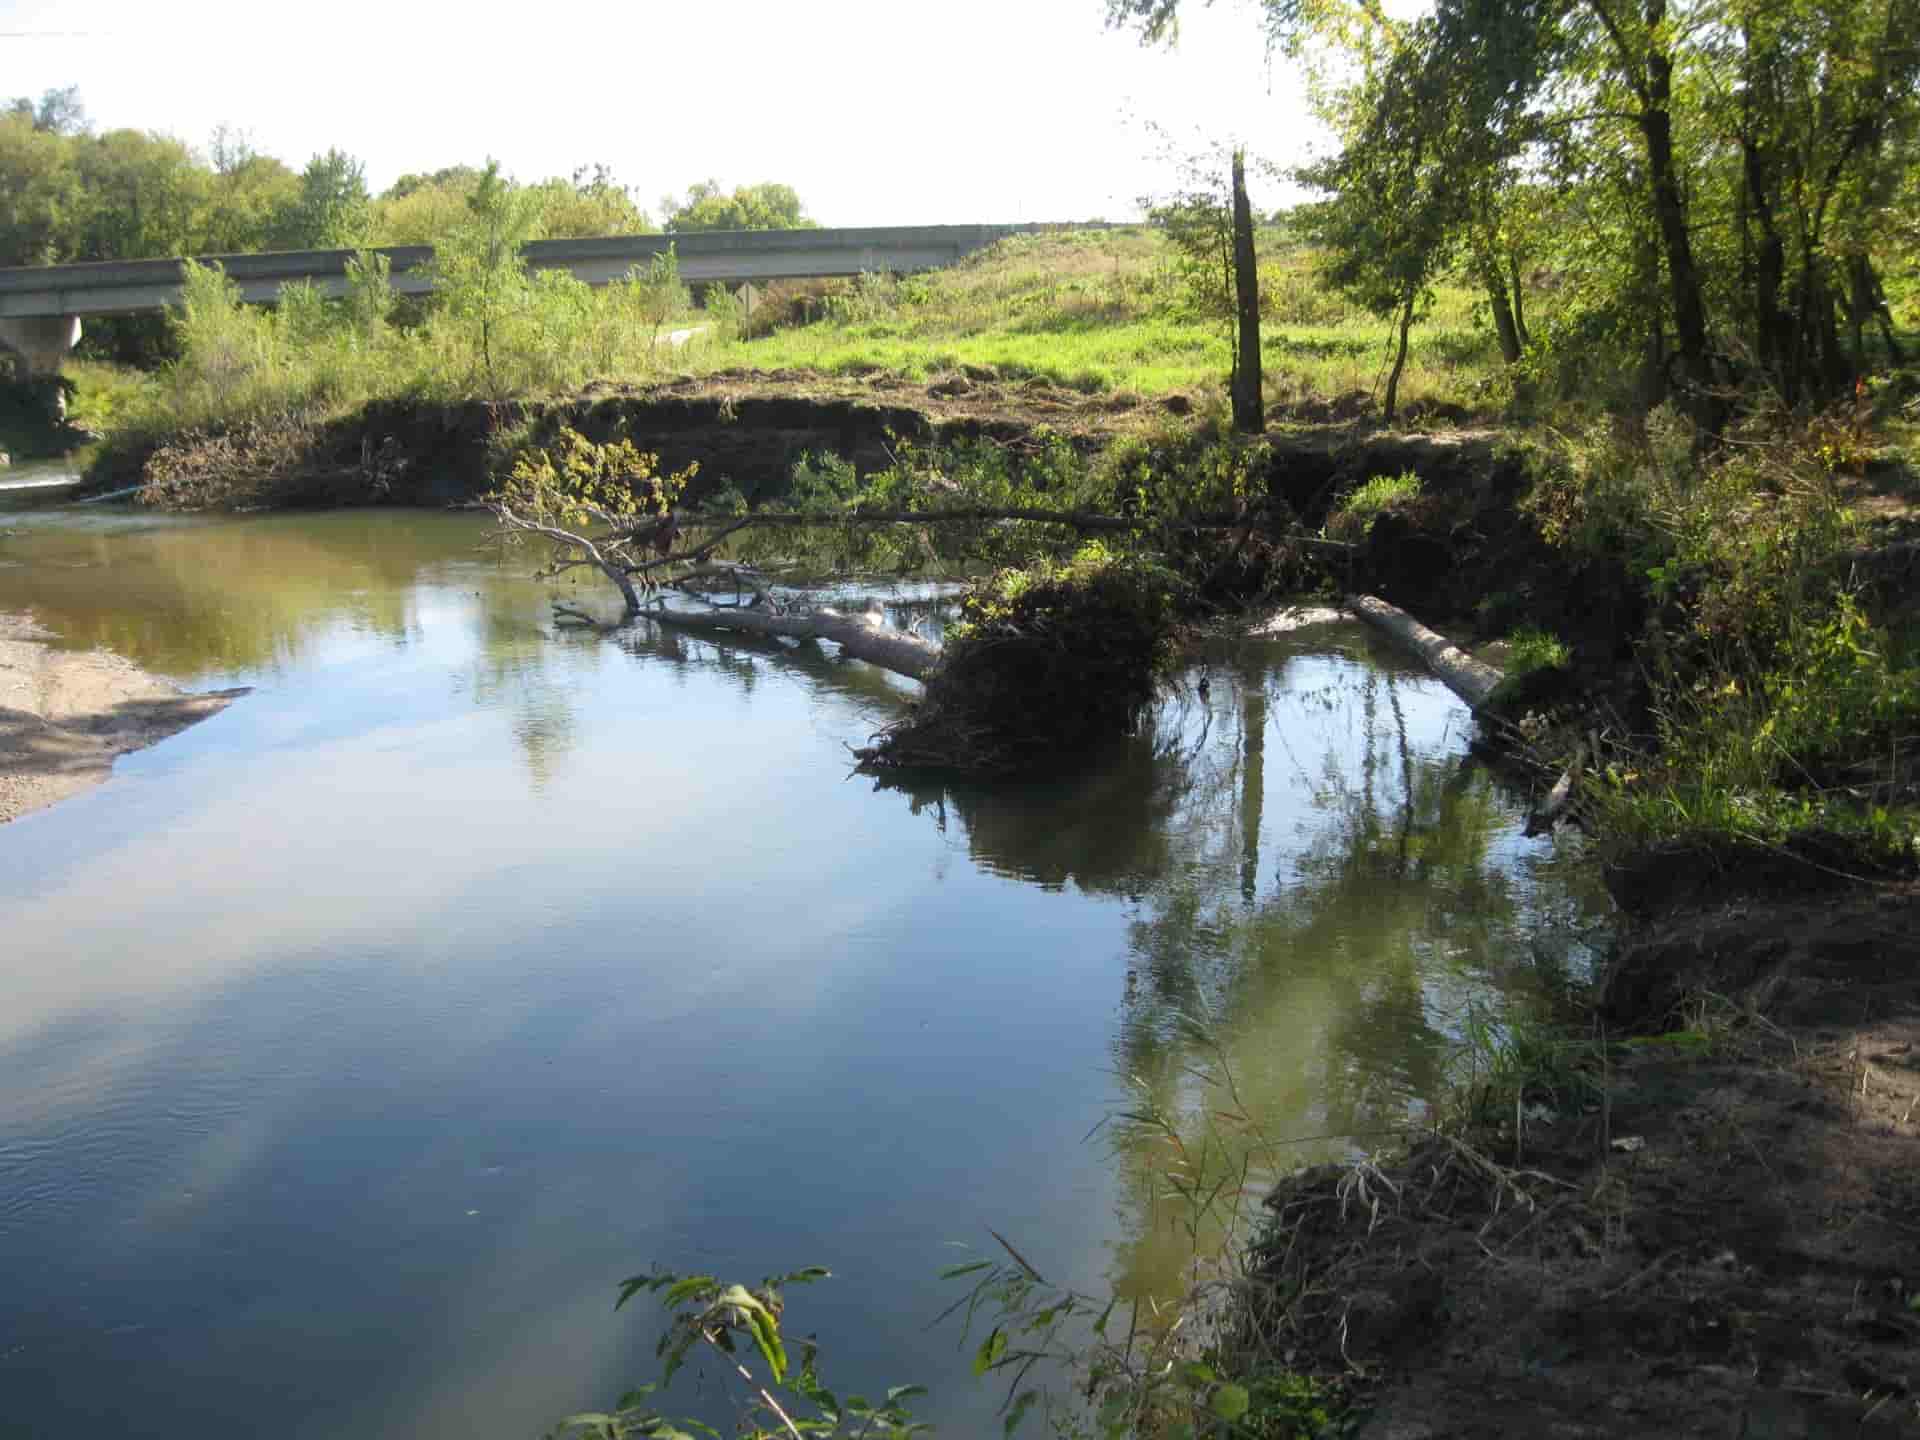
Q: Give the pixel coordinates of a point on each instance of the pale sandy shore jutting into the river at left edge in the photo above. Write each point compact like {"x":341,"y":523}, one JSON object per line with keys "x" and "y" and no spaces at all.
{"x":64,"y":717}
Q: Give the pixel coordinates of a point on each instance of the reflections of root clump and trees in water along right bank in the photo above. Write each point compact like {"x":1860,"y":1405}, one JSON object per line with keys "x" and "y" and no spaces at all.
{"x":1333,"y":969}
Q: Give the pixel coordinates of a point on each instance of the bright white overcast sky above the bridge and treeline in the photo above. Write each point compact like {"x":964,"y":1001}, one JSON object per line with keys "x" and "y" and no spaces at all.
{"x":878,"y":112}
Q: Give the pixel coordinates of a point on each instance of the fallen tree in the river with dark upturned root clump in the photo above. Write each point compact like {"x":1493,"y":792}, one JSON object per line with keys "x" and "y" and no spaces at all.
{"x":1044,"y":660}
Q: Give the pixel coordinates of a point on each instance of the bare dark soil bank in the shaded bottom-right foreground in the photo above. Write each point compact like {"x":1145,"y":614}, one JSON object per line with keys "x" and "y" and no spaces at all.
{"x":1716,"y":1232}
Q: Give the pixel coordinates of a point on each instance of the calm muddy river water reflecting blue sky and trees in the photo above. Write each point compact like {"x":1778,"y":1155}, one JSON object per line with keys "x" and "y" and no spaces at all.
{"x":360,"y":1040}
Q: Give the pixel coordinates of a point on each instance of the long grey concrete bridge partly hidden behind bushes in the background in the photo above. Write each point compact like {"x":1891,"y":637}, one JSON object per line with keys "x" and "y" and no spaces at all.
{"x":43,"y":306}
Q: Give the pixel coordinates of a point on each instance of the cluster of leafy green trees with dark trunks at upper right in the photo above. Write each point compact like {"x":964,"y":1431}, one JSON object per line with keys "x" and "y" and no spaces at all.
{"x":1756,"y":147}
